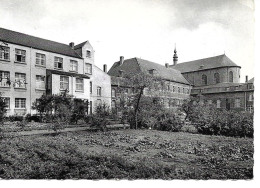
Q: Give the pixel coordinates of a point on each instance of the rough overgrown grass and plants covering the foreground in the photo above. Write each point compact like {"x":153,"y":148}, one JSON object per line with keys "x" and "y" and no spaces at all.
{"x":126,"y":154}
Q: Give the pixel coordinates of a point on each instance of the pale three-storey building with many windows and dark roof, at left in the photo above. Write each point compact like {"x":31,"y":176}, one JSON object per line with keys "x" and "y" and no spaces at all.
{"x":32,"y":66}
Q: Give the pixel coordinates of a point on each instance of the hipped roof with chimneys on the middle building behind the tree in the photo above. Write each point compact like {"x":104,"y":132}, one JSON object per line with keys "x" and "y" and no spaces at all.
{"x":135,"y":65}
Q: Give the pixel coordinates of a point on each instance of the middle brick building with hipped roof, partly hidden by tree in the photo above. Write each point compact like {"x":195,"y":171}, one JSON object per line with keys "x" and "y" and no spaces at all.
{"x":176,"y":89}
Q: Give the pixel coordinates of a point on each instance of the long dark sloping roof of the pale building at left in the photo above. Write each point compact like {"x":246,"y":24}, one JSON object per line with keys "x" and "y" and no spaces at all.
{"x":37,"y":43}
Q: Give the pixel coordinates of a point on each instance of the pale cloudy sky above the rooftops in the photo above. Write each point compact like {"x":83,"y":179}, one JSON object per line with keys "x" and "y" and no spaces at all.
{"x":142,"y":28}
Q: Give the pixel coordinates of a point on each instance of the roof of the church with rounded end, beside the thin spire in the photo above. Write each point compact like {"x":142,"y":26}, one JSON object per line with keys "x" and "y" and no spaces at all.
{"x":206,"y":63}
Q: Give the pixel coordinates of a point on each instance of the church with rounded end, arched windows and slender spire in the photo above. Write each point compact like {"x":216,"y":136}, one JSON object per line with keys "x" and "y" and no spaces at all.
{"x":216,"y":80}
